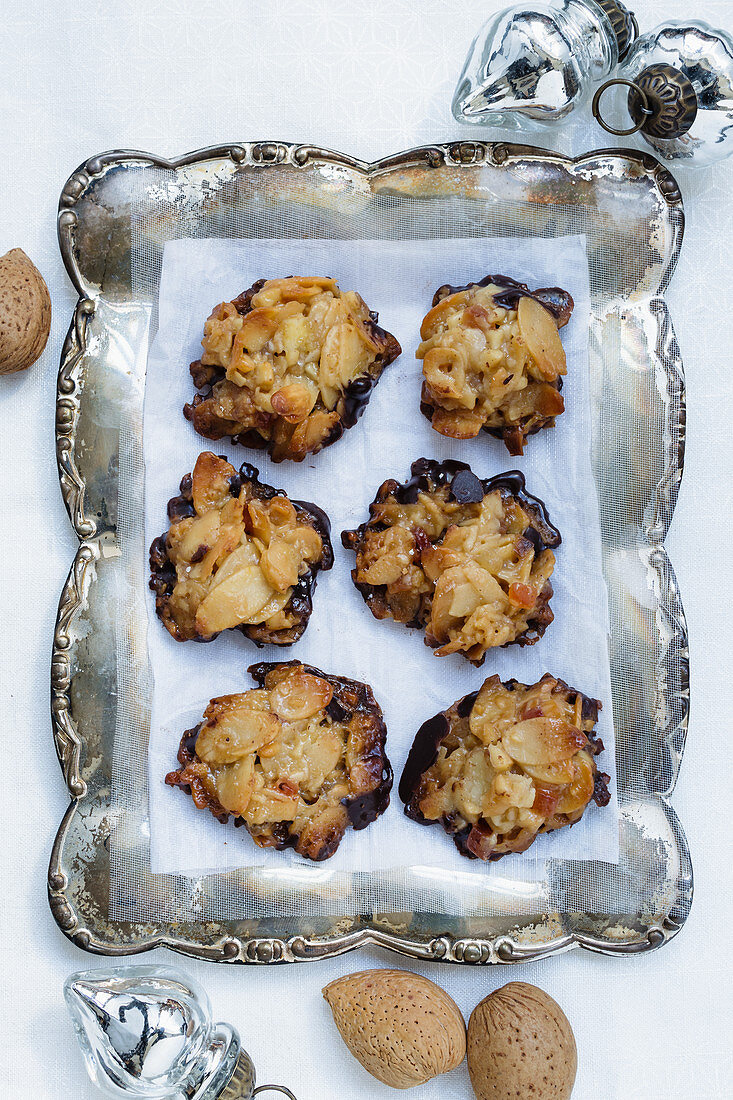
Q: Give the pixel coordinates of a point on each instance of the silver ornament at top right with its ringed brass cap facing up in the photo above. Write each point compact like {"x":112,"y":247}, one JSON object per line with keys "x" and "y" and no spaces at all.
{"x":681,"y":93}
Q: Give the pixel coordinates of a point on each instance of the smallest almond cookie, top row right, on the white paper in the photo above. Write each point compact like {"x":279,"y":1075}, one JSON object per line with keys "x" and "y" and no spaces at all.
{"x":493,"y":360}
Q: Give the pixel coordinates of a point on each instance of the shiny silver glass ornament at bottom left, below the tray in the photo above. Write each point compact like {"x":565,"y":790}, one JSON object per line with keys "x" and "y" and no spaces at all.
{"x":147,"y":1032}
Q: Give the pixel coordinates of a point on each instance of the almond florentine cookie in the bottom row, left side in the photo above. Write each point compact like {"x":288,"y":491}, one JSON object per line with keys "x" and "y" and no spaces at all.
{"x":297,"y":761}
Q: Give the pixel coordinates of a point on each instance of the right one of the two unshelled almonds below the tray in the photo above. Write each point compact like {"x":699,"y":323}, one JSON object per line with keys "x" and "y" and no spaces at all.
{"x":520,"y":1046}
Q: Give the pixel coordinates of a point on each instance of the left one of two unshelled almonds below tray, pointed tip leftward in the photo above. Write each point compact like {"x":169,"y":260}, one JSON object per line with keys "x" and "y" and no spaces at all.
{"x":403,"y":1029}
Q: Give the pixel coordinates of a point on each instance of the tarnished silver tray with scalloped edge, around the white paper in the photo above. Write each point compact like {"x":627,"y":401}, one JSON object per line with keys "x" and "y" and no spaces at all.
{"x":116,"y":214}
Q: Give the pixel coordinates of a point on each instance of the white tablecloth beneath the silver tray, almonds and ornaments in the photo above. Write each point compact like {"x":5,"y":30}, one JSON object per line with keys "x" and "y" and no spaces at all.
{"x":368,"y":79}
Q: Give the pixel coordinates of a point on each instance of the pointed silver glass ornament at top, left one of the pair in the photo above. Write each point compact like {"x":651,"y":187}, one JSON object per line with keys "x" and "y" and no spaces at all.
{"x":537,"y":63}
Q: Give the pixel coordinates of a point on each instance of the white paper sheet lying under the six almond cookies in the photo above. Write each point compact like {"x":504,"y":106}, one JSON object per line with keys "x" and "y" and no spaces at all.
{"x":398,"y":279}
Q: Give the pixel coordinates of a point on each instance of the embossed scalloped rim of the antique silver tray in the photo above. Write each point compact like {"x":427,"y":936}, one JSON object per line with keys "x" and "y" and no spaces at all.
{"x":70,"y":739}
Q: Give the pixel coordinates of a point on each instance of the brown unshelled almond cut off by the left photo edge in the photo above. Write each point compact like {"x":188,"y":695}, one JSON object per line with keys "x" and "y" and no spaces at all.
{"x":25,"y":313}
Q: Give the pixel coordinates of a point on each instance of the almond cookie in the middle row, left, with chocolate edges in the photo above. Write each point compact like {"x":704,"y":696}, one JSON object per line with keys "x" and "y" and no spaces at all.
{"x":238,"y":556}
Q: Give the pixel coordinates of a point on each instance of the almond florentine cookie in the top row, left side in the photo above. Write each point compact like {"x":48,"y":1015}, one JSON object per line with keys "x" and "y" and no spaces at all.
{"x":289,"y":366}
